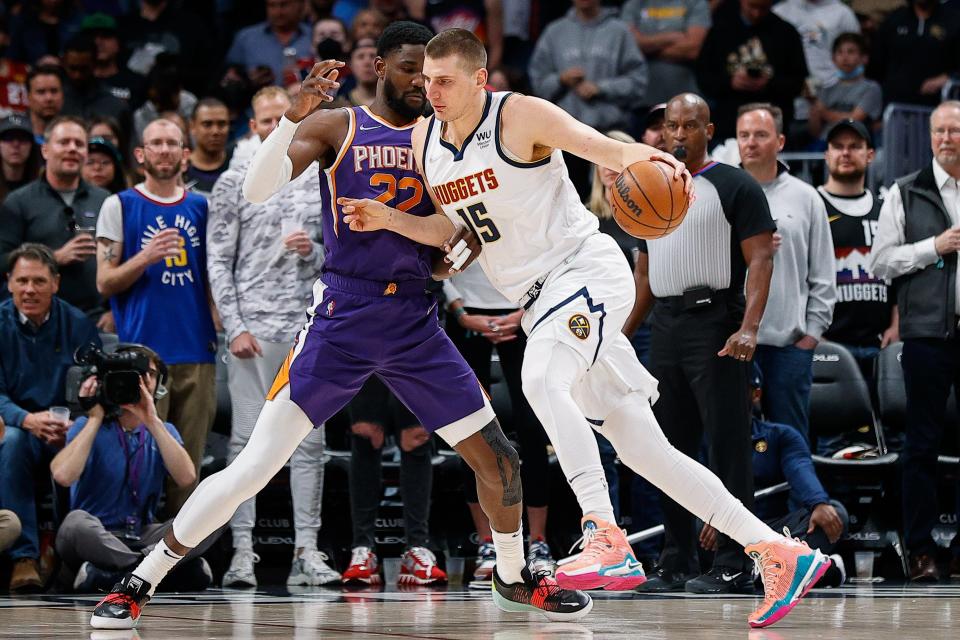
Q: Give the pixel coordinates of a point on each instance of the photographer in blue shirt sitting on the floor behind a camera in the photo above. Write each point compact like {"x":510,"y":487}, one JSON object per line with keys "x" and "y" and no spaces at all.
{"x":115,"y":463}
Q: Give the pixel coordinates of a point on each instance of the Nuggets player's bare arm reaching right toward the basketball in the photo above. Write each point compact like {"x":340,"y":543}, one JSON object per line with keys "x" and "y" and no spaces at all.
{"x":532,"y":125}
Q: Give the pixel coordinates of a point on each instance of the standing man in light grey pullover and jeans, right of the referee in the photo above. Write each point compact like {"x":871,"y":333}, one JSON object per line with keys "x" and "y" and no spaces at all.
{"x":803,"y":289}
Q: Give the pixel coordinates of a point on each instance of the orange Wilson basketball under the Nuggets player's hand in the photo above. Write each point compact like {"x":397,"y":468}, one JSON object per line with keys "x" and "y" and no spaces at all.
{"x":647,"y":202}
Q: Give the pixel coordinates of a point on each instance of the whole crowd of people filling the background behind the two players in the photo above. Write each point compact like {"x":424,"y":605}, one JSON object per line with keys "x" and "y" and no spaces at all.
{"x":125,"y":129}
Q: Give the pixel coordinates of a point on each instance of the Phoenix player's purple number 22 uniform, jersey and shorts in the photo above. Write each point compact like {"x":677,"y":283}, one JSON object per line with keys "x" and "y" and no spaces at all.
{"x":371,"y":313}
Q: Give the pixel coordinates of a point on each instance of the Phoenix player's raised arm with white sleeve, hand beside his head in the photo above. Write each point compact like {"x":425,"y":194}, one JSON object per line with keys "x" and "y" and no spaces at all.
{"x":290,"y":148}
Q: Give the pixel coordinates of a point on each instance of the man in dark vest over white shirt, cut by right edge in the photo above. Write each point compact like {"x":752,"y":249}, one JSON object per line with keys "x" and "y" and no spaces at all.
{"x":918,"y":237}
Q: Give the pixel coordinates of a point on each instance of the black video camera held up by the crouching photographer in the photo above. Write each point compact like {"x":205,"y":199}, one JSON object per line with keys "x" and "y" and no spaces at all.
{"x":117,"y":373}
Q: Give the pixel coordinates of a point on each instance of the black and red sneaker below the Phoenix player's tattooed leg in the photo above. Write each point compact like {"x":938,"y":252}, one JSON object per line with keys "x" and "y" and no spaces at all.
{"x":540,"y":593}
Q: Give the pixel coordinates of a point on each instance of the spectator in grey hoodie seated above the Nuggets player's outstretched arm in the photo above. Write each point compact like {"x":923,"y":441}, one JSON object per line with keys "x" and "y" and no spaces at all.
{"x":588,"y":64}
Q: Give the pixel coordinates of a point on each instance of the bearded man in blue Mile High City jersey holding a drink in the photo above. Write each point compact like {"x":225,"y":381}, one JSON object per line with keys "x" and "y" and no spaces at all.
{"x":153,"y":265}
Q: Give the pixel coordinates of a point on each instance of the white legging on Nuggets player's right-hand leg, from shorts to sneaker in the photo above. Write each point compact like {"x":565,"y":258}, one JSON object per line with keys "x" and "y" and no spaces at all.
{"x":641,"y":445}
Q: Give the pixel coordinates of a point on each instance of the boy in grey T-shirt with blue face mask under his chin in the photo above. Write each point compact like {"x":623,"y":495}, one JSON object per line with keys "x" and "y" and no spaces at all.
{"x":852,"y":96}
